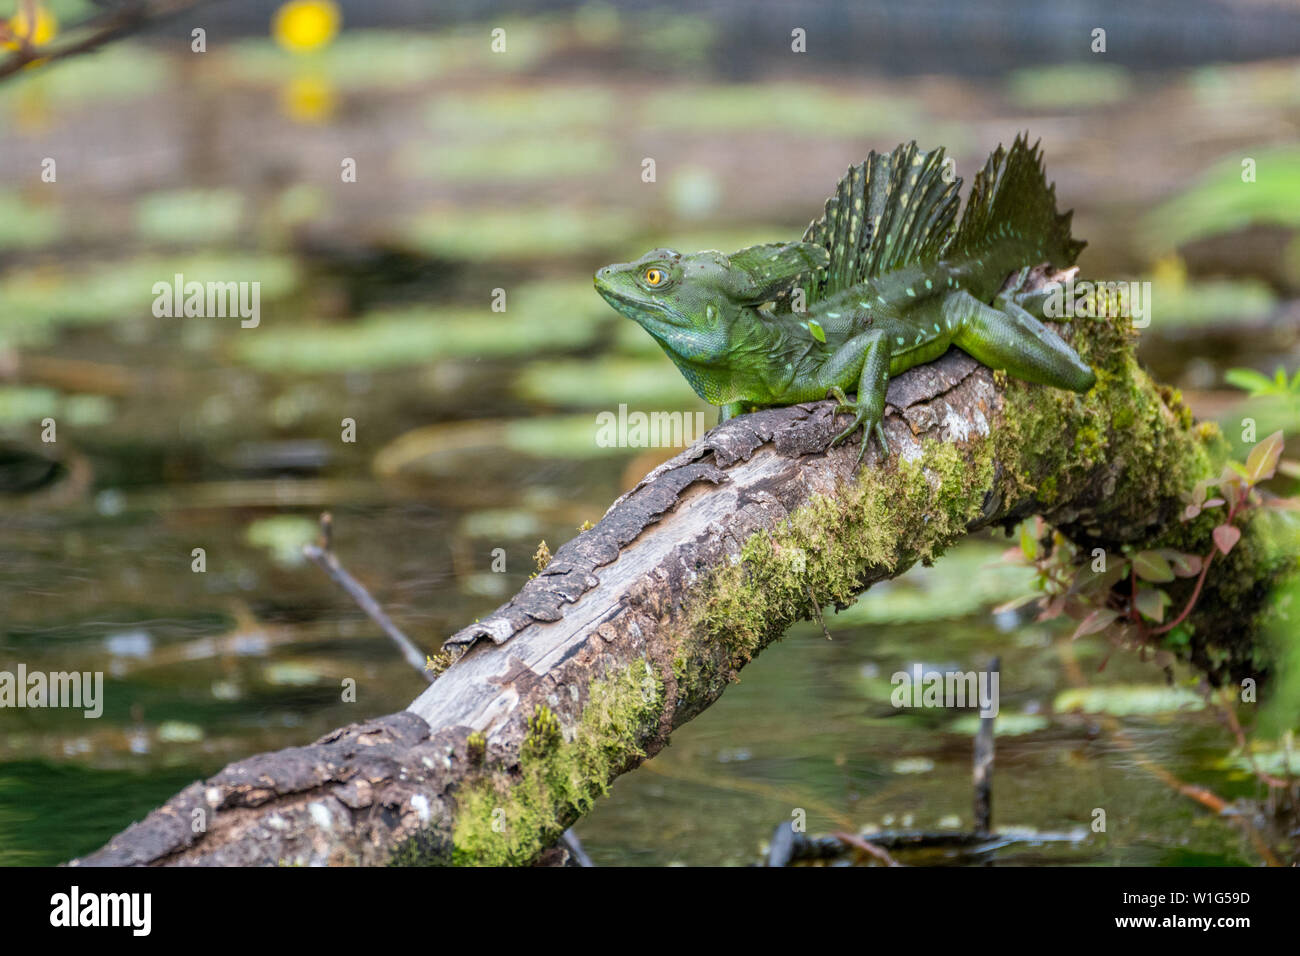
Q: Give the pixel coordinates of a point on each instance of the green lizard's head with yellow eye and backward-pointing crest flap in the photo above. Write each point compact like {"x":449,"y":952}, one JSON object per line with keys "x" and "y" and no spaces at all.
{"x":691,"y":302}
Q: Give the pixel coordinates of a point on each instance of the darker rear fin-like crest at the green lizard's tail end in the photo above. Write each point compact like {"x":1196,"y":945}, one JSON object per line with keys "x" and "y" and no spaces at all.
{"x":1011,"y":198}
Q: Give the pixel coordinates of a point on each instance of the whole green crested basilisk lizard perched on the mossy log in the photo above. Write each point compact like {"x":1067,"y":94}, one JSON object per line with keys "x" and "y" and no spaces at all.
{"x":890,"y":280}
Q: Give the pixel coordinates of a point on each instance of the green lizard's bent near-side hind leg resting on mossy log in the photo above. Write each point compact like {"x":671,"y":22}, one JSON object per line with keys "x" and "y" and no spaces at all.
{"x":1015,"y":341}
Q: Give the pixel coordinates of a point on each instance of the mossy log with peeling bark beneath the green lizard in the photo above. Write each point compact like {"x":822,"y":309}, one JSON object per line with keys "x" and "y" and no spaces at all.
{"x":640,"y":624}
